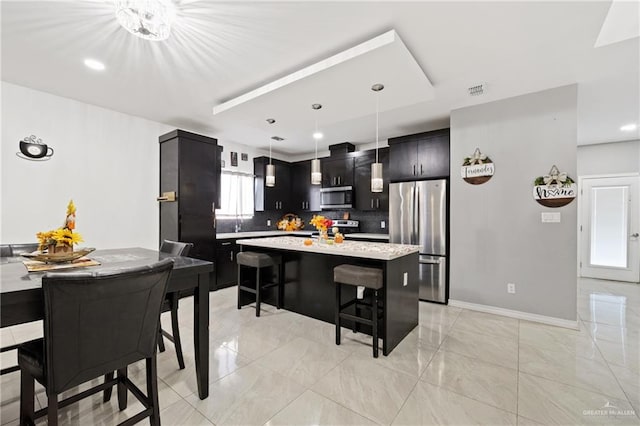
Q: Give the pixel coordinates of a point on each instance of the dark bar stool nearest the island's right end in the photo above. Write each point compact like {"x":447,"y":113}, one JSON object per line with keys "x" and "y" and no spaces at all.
{"x":358,"y":276}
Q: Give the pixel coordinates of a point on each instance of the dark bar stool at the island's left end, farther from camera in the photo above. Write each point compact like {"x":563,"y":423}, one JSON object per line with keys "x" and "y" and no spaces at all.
{"x":258,"y":261}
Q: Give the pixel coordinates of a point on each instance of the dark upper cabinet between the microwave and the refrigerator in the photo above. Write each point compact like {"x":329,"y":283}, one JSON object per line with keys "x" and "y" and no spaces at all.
{"x":365,"y":199}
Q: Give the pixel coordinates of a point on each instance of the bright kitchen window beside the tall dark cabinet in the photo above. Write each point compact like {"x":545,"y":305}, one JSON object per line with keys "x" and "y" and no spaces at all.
{"x":237,"y":195}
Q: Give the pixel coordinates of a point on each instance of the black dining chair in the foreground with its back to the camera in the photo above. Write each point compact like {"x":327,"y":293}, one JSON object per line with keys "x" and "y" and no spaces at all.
{"x":95,"y":324}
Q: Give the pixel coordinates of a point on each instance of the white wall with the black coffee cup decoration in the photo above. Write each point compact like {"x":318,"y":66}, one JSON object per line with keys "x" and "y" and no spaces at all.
{"x":106,"y":161}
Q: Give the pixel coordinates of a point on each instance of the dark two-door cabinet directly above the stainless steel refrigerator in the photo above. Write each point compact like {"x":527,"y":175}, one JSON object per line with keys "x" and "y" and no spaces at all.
{"x":419,"y":156}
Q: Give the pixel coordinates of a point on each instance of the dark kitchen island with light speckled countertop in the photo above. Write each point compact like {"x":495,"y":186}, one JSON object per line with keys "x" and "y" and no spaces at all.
{"x":308,"y":277}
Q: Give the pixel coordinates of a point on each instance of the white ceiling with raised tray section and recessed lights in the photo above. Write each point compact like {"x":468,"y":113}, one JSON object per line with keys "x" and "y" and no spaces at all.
{"x":219,"y":51}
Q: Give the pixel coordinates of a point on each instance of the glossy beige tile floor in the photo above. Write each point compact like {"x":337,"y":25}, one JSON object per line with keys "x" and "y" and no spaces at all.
{"x":457,"y":367}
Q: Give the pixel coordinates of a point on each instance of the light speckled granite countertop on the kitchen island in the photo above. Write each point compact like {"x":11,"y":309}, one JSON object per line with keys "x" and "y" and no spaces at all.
{"x":362,"y":249}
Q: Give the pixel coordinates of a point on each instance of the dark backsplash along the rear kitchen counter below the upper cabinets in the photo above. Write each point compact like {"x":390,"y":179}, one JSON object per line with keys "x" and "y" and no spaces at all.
{"x":369,"y":221}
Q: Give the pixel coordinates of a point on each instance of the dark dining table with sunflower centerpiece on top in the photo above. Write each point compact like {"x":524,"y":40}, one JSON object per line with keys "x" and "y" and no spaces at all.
{"x":22,"y":297}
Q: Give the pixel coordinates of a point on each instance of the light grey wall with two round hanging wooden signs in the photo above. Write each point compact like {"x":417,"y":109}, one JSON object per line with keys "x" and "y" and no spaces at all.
{"x":496,"y":233}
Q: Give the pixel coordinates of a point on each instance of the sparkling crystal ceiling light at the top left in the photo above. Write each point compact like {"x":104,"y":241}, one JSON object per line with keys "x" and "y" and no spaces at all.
{"x":148,"y":19}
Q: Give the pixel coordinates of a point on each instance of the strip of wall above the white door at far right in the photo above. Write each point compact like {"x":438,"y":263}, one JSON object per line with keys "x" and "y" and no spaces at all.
{"x":609,"y":158}
